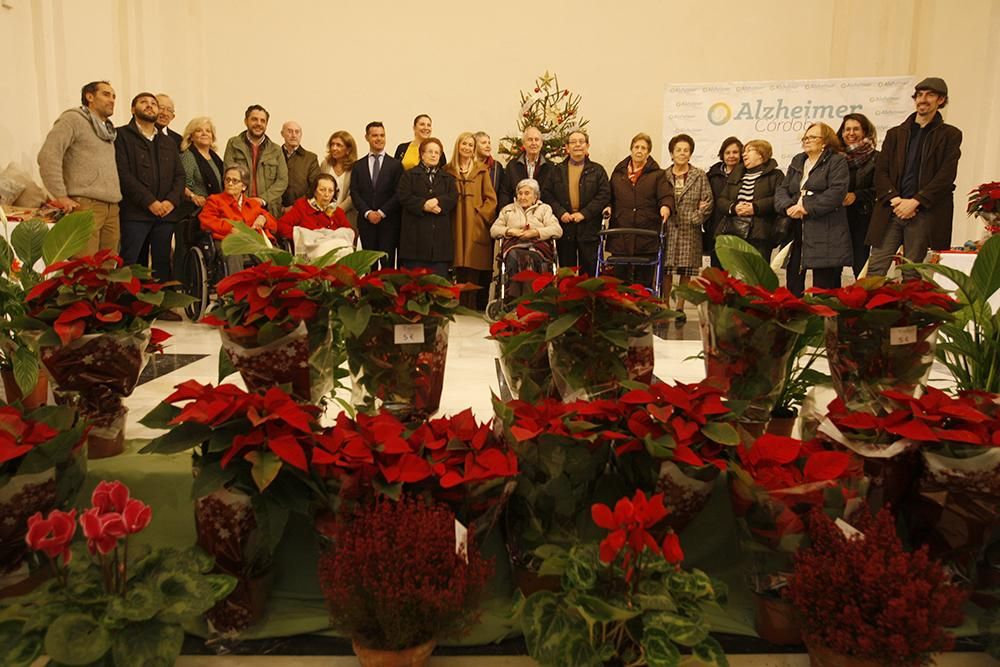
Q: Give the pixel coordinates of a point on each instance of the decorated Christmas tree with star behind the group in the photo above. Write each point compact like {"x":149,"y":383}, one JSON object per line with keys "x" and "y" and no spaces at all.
{"x":554,"y":111}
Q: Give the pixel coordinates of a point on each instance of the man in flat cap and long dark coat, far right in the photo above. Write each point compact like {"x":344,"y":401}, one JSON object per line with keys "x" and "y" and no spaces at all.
{"x":915,"y":182}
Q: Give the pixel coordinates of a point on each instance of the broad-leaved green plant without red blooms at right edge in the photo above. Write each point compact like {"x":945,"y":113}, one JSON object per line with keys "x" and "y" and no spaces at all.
{"x":970,"y":340}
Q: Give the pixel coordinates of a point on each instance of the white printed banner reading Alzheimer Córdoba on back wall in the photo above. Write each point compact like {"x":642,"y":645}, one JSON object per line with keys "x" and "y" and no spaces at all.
{"x":777,"y":111}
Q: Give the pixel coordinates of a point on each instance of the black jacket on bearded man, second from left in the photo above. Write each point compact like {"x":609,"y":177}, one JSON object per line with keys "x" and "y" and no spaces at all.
{"x":148,"y":171}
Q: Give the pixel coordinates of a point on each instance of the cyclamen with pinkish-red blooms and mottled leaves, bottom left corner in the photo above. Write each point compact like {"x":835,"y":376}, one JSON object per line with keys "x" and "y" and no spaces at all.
{"x":109,"y":602}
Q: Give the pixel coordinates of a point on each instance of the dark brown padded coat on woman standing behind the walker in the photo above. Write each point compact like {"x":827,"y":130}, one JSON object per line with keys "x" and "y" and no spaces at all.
{"x":638,"y":206}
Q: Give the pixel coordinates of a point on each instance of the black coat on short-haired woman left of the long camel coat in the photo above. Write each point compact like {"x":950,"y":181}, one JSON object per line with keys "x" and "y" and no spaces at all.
{"x":423,"y":236}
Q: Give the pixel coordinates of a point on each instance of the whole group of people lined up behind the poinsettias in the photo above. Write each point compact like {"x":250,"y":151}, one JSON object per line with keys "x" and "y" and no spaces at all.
{"x":836,"y":198}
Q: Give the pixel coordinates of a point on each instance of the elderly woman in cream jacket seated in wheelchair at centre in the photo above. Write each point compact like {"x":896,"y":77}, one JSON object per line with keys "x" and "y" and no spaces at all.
{"x":527,"y":227}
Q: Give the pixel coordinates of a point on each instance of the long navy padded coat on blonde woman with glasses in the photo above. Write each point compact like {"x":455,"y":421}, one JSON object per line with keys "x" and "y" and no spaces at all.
{"x":826,"y":237}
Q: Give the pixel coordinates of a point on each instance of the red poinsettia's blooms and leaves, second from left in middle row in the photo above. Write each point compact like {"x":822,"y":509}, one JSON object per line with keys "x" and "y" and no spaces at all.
{"x":258,"y":443}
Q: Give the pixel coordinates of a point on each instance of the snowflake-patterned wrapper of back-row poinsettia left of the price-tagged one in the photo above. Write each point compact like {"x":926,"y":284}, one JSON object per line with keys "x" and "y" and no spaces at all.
{"x":305,"y":358}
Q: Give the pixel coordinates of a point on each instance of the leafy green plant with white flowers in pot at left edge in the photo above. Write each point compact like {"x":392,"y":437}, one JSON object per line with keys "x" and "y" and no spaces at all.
{"x":31,"y":241}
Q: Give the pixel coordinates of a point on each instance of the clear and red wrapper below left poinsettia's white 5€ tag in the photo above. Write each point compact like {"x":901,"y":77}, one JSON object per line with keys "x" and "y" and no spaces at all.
{"x":405,"y":379}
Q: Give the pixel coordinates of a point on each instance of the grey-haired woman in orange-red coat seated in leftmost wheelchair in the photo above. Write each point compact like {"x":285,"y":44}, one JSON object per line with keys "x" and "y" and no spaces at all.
{"x":230,"y":205}
